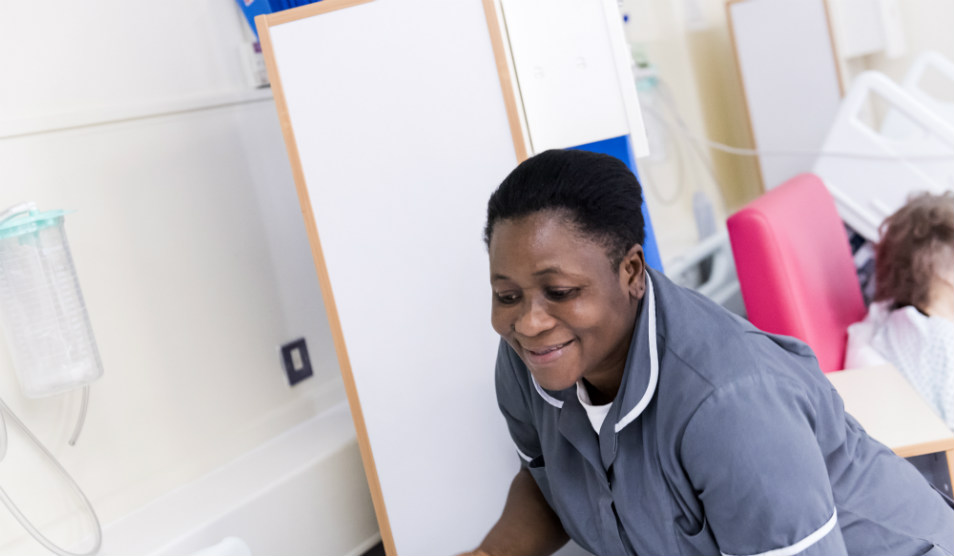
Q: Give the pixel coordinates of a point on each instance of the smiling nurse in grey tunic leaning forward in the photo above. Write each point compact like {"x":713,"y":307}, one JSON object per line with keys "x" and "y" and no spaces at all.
{"x":649,"y":420}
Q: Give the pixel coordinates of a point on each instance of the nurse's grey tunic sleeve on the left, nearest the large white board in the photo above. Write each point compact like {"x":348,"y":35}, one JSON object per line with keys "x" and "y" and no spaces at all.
{"x":515,"y":407}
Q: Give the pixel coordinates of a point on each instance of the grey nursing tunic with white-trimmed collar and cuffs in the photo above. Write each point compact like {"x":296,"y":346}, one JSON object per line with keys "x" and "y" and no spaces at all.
{"x":721,"y":439}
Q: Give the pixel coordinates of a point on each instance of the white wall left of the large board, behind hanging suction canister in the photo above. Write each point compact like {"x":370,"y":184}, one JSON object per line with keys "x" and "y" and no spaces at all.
{"x":188,"y":240}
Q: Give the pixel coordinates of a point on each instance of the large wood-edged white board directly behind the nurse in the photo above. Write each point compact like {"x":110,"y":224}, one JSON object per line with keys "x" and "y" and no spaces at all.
{"x":400,"y":126}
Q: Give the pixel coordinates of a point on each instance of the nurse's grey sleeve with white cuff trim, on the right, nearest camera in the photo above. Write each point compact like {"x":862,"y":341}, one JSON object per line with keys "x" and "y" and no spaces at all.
{"x":751,"y":455}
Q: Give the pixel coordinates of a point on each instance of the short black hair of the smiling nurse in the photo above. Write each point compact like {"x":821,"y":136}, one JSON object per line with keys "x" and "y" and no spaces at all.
{"x":596,"y":192}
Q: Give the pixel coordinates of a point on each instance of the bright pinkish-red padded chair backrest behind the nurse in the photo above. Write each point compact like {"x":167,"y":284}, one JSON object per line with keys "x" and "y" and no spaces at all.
{"x":795,"y":267}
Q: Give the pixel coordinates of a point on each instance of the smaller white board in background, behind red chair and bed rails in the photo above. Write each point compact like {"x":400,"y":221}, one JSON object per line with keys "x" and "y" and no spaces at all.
{"x":791,"y":83}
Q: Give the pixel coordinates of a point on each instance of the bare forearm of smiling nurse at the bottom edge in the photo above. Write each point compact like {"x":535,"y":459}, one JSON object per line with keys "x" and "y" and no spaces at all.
{"x":528,"y":526}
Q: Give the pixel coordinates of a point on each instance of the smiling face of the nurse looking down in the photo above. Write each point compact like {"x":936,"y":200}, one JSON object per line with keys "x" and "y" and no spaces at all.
{"x":558,"y":302}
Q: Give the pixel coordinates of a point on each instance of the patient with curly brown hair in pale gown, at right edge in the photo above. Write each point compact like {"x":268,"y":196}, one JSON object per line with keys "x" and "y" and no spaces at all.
{"x":911,"y":322}
